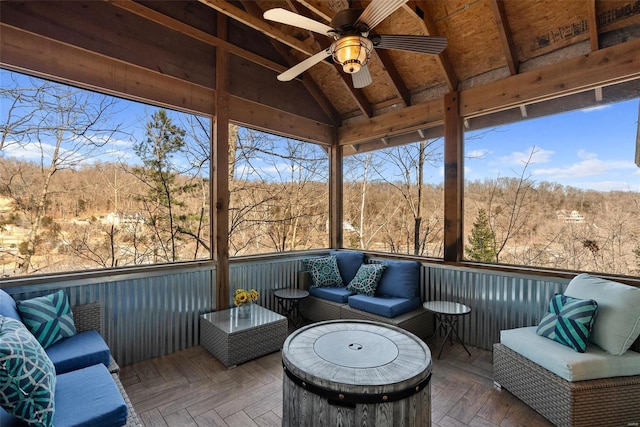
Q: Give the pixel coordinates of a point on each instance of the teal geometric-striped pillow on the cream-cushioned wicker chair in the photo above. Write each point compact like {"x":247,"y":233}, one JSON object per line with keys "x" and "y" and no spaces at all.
{"x":569,"y":321}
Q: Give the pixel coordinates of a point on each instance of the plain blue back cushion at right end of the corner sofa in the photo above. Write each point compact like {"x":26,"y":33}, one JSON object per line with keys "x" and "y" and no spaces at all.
{"x":400,"y":279}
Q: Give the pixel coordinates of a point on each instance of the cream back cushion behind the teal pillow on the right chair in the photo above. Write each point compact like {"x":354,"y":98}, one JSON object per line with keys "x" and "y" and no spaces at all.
{"x":617,"y":324}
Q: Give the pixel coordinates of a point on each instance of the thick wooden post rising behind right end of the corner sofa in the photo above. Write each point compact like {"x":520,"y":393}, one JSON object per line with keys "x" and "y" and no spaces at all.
{"x":453,"y":178}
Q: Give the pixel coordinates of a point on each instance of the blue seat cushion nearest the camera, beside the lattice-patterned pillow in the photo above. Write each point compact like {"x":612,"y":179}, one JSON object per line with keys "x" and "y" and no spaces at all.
{"x":89,"y":397}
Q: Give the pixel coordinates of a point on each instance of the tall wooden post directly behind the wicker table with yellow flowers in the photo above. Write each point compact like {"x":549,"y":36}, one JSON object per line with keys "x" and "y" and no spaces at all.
{"x":221,"y":174}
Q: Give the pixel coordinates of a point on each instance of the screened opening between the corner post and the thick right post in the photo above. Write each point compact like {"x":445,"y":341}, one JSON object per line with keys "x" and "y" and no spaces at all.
{"x":394,"y":199}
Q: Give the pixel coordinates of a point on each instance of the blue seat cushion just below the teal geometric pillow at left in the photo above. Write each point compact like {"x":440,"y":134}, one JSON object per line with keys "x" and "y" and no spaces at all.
{"x":79,"y":351}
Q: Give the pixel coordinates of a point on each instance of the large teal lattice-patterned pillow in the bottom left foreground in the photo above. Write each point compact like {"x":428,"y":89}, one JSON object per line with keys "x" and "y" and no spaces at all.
{"x":27,"y":376}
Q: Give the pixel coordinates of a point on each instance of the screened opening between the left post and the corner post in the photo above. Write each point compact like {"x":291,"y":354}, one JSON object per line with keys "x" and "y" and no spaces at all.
{"x":279,"y":194}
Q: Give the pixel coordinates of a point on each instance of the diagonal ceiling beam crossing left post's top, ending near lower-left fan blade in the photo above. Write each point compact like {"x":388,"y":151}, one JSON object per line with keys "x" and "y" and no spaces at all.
{"x":166,"y":21}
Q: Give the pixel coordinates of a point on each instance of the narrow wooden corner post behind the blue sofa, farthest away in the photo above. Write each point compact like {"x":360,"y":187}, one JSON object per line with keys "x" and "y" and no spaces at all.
{"x":335,"y":195}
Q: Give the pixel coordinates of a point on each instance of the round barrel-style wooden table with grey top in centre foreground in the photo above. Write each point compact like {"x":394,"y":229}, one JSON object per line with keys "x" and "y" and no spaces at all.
{"x":345,"y":371}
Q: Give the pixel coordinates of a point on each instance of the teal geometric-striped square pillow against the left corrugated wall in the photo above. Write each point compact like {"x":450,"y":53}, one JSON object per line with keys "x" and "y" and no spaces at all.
{"x":49,"y":318}
